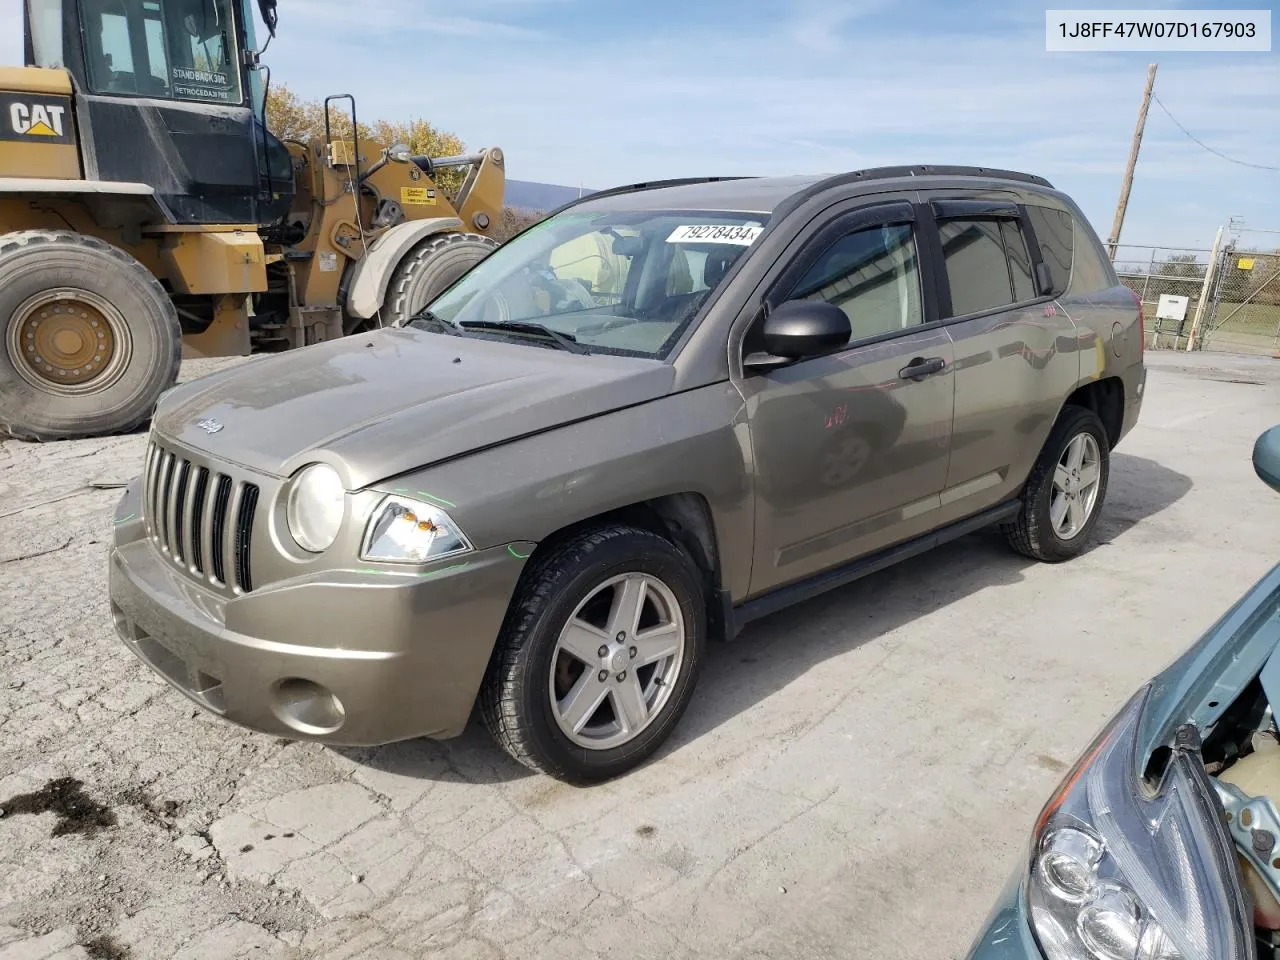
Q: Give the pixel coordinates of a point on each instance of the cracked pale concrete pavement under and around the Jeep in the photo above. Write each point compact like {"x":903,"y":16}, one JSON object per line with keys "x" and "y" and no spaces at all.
{"x":856,"y":776}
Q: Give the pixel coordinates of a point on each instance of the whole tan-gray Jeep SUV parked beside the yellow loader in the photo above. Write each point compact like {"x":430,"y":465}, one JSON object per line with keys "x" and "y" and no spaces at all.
{"x":661,"y":413}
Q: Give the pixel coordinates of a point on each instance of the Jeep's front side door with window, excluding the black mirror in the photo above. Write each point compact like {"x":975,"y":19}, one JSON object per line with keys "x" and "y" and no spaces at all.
{"x":852,"y":449}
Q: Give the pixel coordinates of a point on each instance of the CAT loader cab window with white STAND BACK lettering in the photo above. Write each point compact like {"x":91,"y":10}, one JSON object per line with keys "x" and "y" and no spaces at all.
{"x":167,"y":49}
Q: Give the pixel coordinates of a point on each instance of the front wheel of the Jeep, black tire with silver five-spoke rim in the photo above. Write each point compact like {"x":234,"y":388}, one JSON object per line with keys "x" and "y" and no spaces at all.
{"x":529,"y":669}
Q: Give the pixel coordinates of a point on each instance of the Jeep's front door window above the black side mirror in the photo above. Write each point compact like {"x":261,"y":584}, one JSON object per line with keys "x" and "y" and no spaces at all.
{"x":874,"y":276}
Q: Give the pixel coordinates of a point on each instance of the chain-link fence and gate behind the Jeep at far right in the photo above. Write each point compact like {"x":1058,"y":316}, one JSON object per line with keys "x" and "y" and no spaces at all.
{"x":1241,"y":292}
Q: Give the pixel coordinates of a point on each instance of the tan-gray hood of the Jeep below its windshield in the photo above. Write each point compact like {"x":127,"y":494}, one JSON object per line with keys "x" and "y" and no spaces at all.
{"x":380,"y":405}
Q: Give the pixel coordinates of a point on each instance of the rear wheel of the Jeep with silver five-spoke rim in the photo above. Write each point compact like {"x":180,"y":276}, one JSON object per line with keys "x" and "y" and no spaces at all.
{"x":1035,"y":532}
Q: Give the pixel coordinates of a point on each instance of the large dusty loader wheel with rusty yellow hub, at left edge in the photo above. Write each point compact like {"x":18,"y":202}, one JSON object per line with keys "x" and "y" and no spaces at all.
{"x":94,"y":294}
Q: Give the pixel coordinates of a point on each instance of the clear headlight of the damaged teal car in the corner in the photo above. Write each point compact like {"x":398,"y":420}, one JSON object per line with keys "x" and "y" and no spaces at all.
{"x":1124,"y":872}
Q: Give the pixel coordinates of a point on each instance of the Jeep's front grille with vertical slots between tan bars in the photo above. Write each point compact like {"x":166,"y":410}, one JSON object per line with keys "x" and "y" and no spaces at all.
{"x":202,"y":519}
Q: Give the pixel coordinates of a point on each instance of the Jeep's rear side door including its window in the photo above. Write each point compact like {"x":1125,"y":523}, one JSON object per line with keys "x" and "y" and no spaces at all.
{"x":1017,"y":356}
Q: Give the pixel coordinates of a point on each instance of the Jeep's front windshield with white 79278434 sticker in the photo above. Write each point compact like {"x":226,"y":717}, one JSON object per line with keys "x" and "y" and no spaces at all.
{"x":612,"y":282}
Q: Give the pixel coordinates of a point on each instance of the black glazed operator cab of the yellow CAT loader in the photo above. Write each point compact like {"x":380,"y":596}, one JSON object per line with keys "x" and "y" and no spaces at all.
{"x":166,"y":97}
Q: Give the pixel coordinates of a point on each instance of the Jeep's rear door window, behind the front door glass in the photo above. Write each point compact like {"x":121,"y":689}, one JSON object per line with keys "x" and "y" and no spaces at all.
{"x":988,"y":264}
